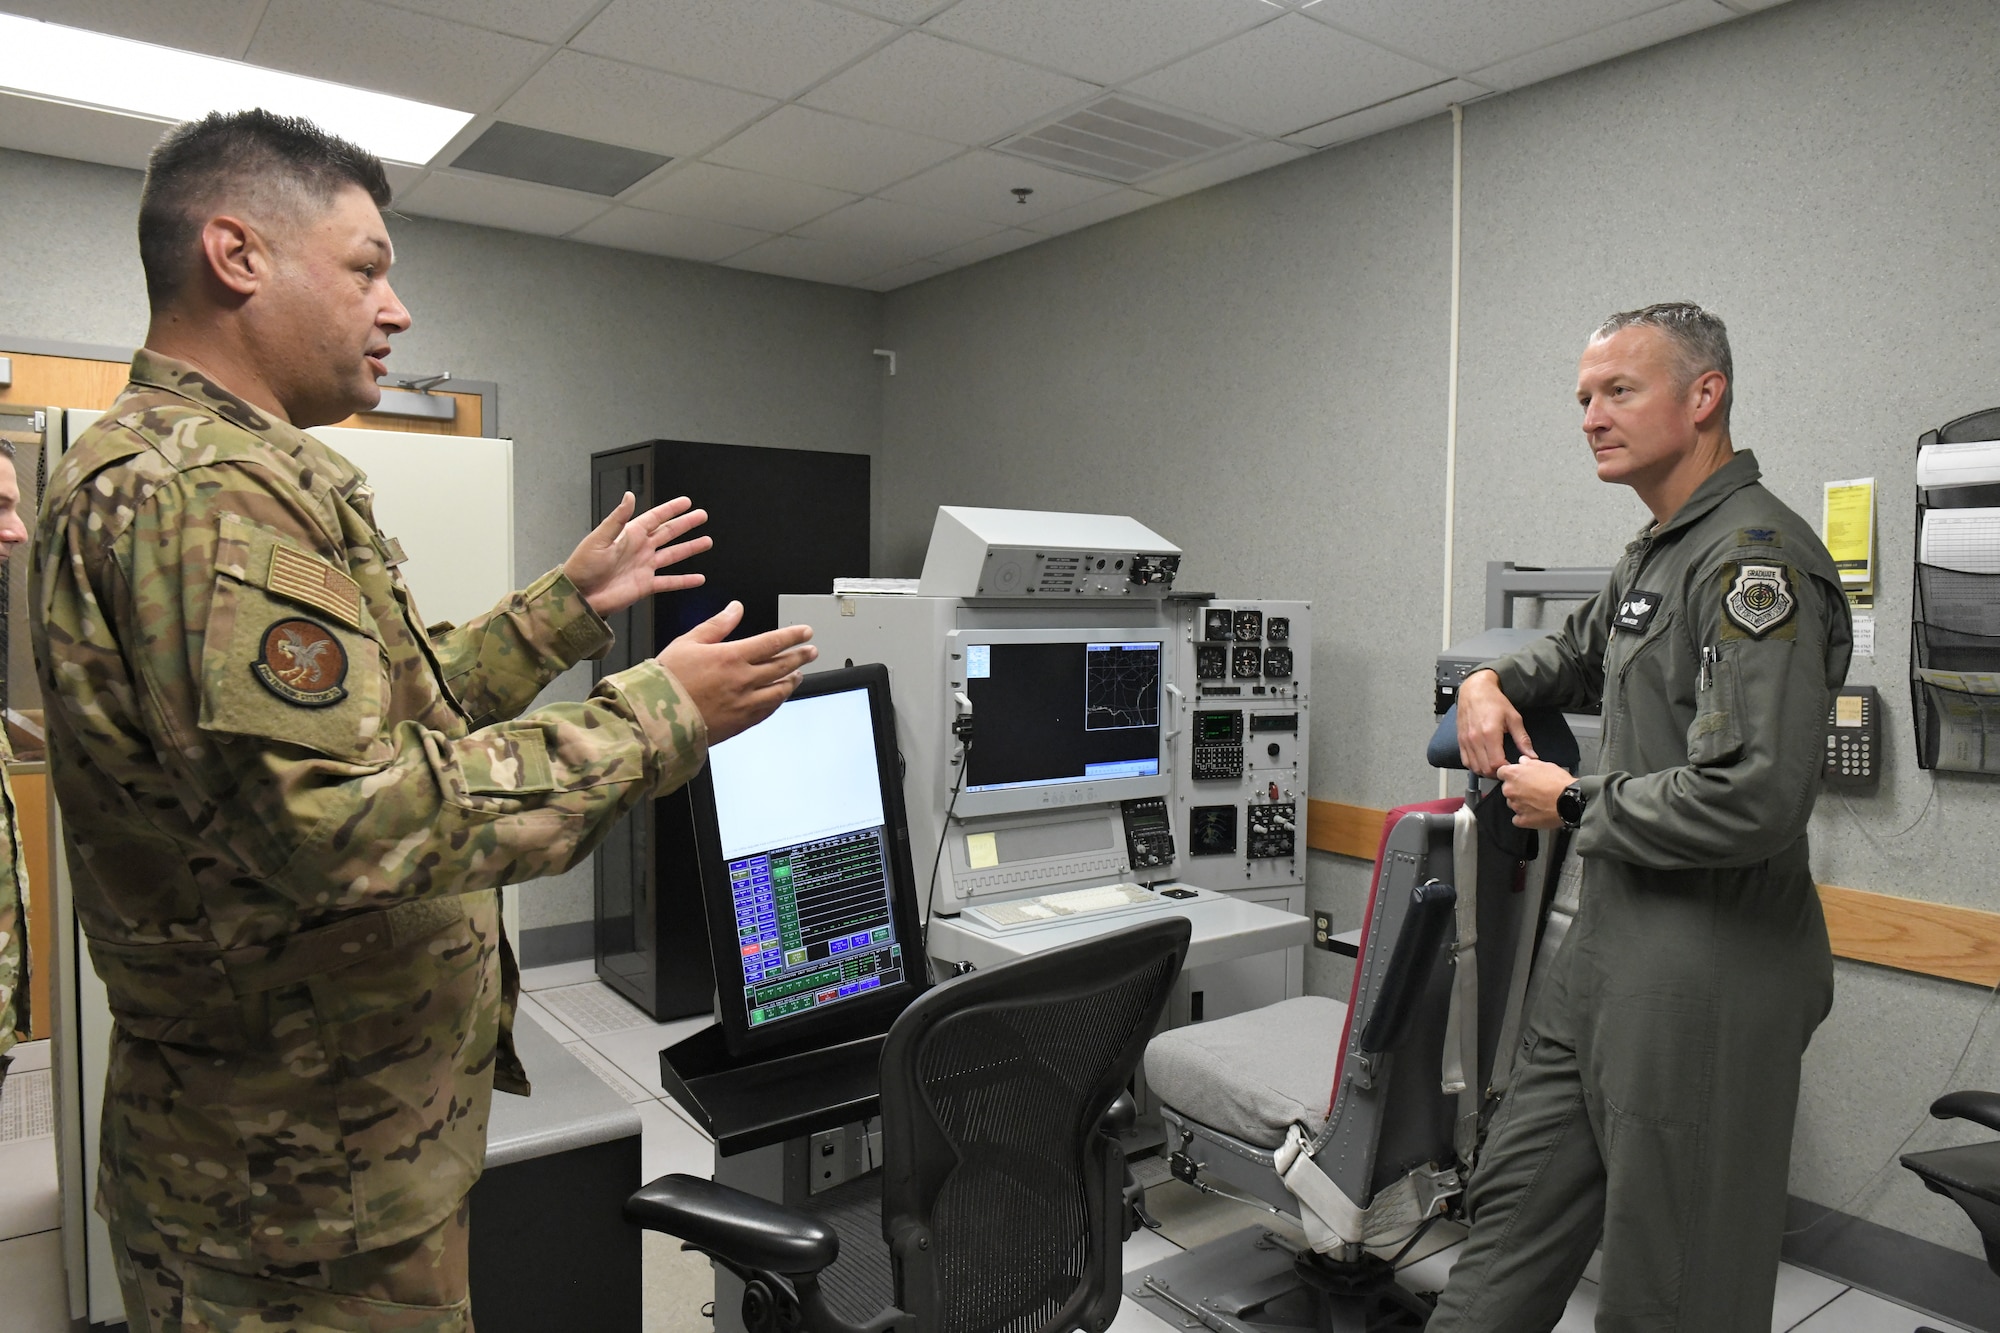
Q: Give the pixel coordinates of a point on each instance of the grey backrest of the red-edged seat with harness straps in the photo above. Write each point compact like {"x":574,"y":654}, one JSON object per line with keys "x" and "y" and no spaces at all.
{"x":1389,"y":1114}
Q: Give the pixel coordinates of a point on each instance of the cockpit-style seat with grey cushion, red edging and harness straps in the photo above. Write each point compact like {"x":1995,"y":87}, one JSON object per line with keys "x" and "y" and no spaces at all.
{"x":1365,"y":1118}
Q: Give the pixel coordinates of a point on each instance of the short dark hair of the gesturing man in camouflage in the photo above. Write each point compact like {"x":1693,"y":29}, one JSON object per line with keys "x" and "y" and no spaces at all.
{"x":249,"y":157}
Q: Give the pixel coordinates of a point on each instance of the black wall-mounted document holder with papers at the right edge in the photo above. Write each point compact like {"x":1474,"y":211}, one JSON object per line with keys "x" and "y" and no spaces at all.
{"x":1955,"y":623}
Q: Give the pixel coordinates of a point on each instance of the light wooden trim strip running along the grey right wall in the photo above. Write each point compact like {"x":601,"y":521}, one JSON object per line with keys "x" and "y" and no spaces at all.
{"x":1935,"y":940}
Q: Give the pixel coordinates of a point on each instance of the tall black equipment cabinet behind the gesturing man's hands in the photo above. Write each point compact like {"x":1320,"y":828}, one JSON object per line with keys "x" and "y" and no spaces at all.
{"x":783,"y":521}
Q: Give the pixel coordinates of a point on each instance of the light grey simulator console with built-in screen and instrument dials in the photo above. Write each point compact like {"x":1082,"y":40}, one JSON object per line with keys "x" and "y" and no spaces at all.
{"x":1117,"y":734}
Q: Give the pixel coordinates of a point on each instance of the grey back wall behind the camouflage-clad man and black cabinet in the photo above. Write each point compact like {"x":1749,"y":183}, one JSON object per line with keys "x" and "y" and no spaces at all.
{"x":591,"y":349}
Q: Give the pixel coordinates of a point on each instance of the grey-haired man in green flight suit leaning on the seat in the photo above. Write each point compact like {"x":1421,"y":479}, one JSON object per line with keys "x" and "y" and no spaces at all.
{"x":1659,"y":1080}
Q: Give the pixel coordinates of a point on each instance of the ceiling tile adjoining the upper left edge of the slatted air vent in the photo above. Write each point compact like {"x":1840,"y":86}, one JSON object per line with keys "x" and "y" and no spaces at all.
{"x":933,"y":87}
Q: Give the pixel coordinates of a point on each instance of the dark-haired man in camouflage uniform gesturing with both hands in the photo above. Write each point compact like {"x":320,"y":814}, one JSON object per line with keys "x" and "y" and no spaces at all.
{"x":291,"y":806}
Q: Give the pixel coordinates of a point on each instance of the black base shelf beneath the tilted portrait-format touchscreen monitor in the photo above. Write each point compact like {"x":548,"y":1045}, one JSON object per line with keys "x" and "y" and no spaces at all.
{"x":747,"y":1102}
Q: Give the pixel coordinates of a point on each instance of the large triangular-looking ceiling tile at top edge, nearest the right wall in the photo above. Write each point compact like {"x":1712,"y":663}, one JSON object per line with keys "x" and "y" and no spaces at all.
{"x":1459,"y":37}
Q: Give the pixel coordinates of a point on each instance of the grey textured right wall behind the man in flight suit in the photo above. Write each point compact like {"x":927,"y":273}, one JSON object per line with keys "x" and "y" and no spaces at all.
{"x":1261,"y":373}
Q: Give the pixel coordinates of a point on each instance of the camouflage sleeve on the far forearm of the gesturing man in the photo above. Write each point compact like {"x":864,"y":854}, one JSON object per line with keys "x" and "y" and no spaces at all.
{"x":499,"y":663}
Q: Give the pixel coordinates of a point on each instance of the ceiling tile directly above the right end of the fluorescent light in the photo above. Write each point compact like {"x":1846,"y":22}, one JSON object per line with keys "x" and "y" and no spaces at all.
{"x":393,"y":51}
